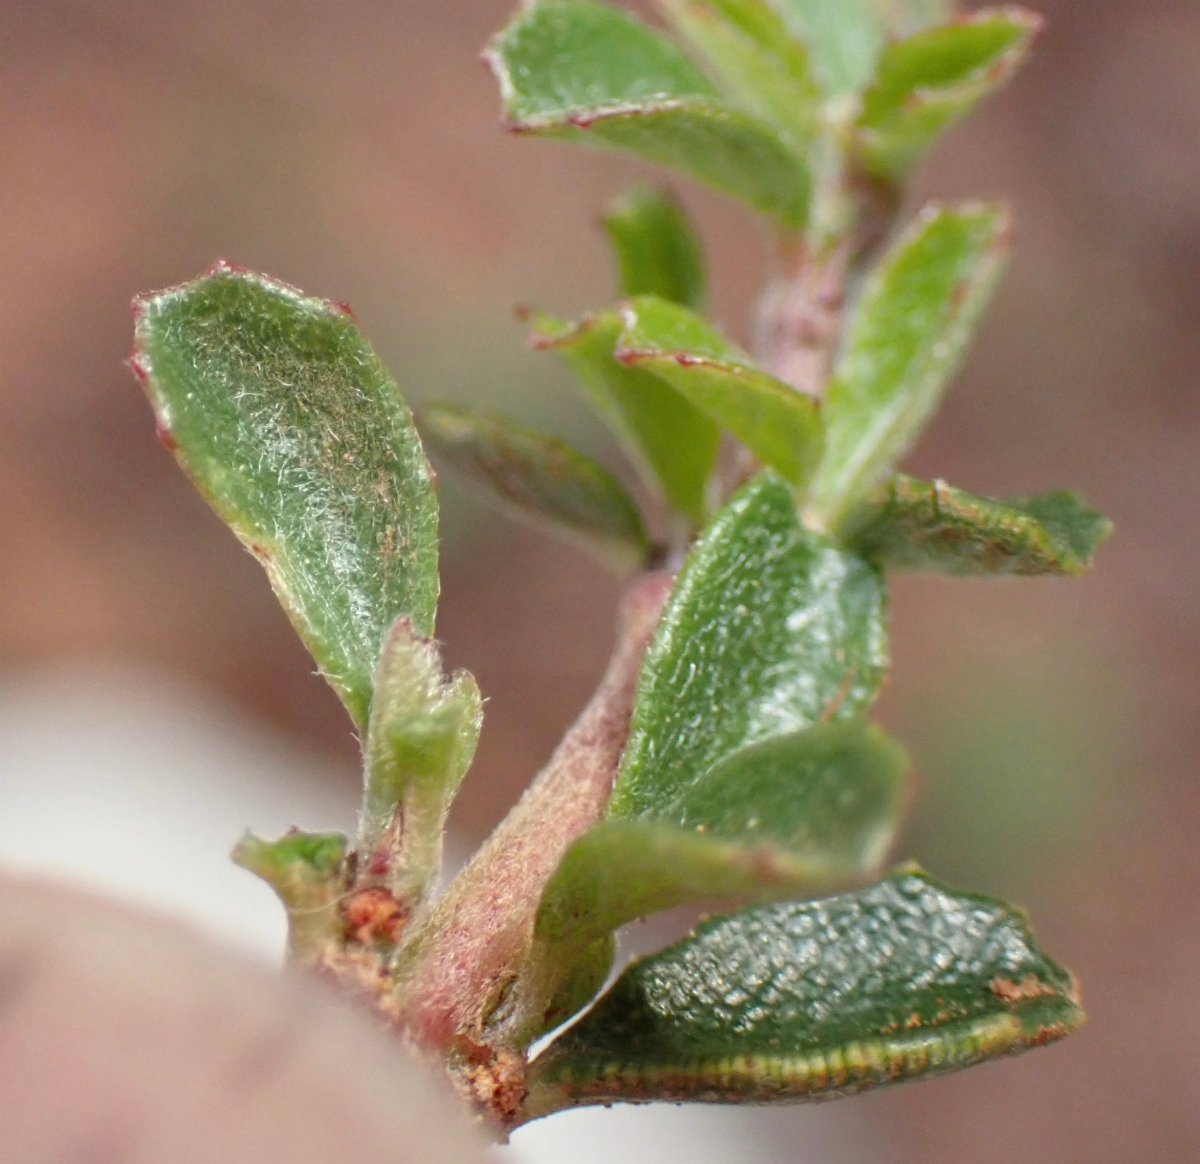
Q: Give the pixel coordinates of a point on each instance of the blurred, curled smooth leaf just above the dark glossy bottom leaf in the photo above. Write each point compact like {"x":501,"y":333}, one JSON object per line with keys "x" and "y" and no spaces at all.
{"x":799,"y":814}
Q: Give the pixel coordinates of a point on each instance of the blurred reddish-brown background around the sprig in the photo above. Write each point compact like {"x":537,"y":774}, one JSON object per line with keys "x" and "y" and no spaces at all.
{"x":356,"y":151}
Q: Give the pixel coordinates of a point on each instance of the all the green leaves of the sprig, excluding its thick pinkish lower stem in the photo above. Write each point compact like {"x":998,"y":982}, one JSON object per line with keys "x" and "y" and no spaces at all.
{"x":752,"y":773}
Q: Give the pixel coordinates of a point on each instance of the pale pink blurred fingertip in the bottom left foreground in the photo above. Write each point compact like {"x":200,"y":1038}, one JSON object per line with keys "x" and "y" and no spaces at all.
{"x":125,"y":1037}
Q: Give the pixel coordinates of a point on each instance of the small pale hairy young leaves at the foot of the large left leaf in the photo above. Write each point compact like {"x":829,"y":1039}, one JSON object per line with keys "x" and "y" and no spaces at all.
{"x":421,"y":742}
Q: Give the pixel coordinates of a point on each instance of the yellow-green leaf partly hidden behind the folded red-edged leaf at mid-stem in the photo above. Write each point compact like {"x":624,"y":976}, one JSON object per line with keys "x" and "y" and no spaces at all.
{"x":671,"y":441}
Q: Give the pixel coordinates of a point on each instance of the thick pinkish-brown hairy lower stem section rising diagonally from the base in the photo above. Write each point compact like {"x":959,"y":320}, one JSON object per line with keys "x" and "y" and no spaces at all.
{"x":478,"y":937}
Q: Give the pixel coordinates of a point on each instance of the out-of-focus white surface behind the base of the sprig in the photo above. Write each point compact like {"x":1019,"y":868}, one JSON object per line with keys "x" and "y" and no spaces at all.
{"x":139,"y":785}
